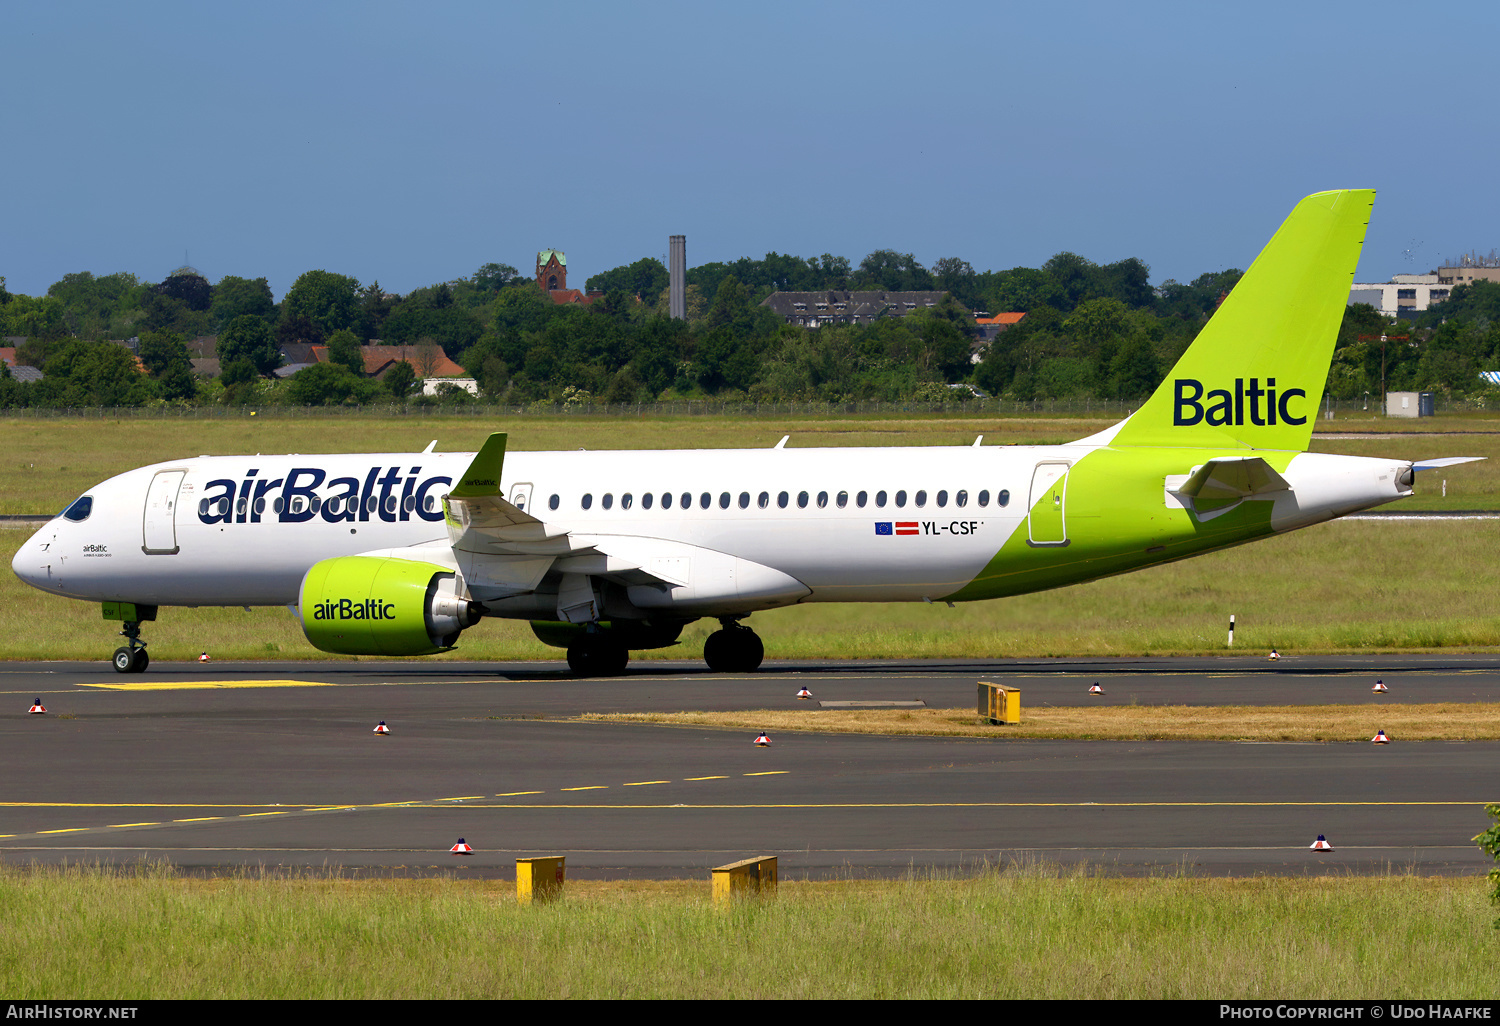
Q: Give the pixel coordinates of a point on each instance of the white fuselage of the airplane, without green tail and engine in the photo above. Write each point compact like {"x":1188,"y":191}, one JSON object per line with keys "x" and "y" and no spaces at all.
{"x":847,"y":524}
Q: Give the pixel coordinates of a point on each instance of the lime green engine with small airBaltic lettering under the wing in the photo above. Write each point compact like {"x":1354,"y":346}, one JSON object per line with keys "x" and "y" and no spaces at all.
{"x":382,"y":607}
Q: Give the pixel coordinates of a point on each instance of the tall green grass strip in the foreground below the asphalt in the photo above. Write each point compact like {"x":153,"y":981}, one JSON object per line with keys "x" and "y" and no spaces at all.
{"x":1021,"y":932}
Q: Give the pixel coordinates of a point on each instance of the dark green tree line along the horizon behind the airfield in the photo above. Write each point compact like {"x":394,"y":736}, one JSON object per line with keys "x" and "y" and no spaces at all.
{"x":1091,"y":331}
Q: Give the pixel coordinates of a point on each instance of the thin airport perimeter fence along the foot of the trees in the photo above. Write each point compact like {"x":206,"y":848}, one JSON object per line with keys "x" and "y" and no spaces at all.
{"x":1331,"y":410}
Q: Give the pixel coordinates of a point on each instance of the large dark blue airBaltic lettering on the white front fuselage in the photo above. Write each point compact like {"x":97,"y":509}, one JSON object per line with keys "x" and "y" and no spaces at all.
{"x":391,"y":497}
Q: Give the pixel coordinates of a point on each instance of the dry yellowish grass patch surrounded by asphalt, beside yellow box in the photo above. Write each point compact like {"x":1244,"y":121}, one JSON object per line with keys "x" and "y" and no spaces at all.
{"x":1433,"y":722}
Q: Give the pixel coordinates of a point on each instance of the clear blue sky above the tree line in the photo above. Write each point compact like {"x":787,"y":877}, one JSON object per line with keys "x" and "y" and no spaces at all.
{"x":415,"y":143}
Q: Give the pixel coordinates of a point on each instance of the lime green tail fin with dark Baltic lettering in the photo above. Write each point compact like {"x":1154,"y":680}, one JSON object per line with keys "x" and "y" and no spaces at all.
{"x":1255,"y":376}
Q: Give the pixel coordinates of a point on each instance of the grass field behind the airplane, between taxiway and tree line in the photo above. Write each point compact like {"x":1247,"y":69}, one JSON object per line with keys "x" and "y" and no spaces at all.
{"x":1340,"y":587}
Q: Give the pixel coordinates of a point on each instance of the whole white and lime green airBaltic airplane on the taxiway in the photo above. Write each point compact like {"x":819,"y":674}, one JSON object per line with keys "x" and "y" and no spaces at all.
{"x":607,"y":553}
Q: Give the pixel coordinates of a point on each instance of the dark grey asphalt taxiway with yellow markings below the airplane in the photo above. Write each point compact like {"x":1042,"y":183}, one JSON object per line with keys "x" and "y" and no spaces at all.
{"x":229,"y":766}
